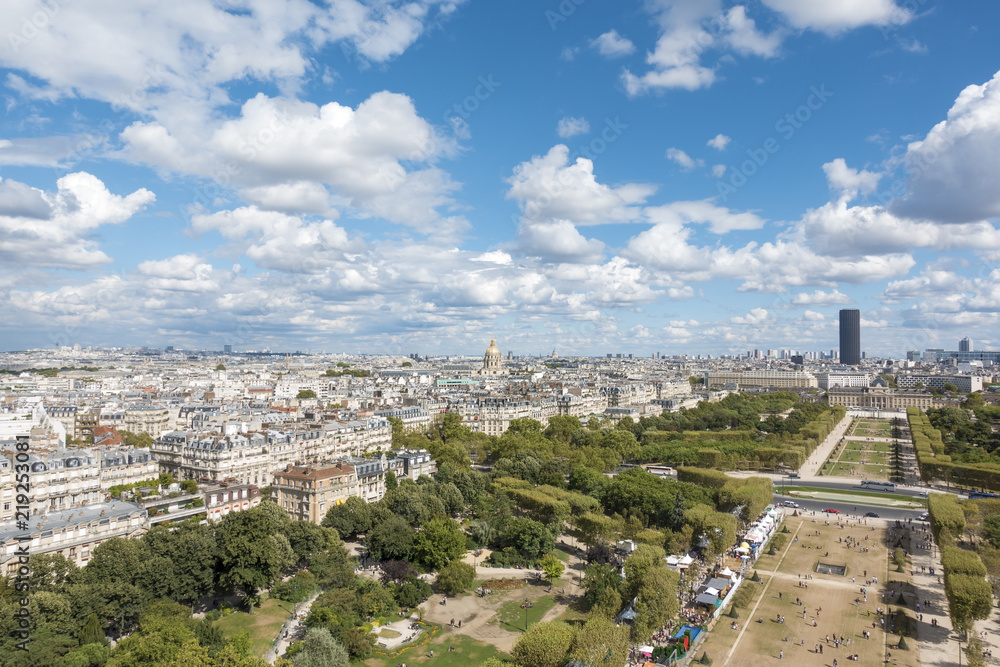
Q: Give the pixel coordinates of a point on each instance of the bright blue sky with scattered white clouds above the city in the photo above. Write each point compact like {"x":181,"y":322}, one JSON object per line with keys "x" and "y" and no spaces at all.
{"x":593,"y":176}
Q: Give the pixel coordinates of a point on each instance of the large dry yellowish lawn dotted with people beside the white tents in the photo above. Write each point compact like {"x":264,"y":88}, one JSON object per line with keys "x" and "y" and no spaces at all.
{"x":829,"y":600}
